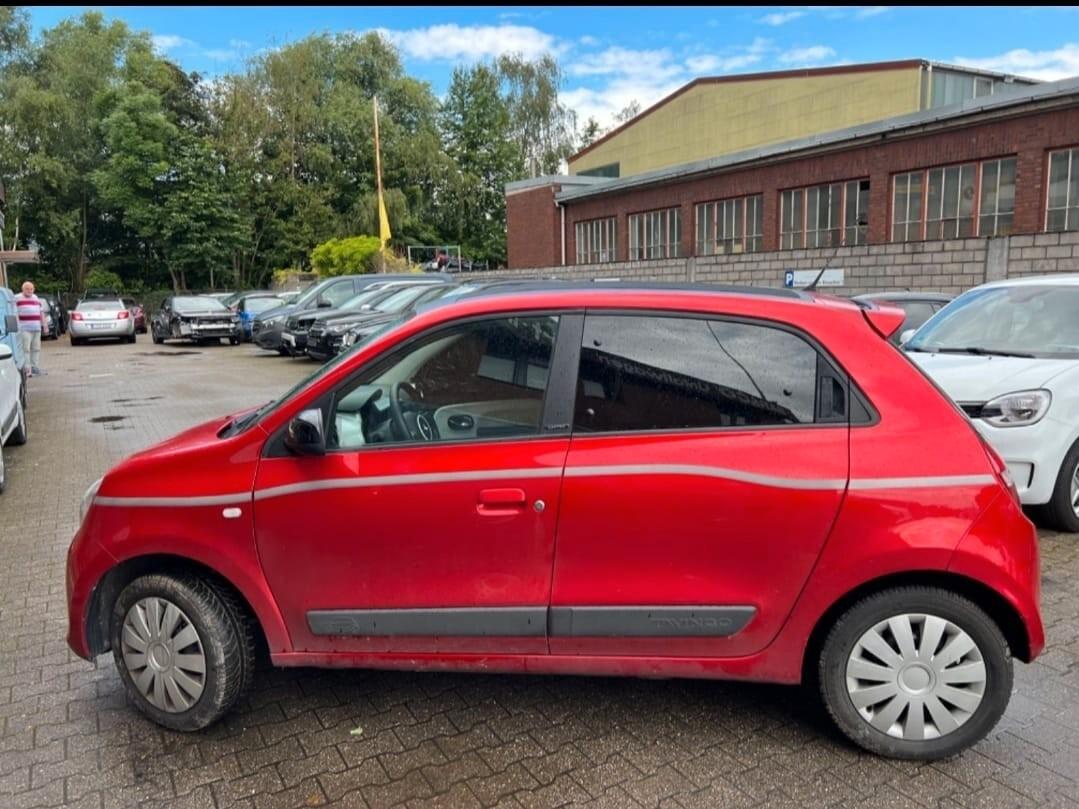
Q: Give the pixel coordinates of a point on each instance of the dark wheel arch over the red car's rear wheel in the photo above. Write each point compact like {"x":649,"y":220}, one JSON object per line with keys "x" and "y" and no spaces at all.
{"x":1003,"y":613}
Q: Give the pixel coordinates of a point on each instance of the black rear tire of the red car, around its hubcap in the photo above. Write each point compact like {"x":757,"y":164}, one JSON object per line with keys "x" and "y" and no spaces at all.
{"x":920,"y":601}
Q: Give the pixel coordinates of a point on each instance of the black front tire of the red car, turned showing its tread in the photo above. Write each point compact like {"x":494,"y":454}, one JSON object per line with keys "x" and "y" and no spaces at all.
{"x":227,"y":641}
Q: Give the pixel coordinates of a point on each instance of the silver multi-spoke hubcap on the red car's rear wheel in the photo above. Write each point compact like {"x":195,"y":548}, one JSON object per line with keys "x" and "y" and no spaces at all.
{"x":917,"y":677}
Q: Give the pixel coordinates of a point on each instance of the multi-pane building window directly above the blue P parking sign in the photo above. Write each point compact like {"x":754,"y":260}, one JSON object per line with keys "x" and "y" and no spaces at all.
{"x":825,"y":216}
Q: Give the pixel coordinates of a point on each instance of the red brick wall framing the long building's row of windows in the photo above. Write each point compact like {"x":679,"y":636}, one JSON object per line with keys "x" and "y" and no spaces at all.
{"x":1029,"y":138}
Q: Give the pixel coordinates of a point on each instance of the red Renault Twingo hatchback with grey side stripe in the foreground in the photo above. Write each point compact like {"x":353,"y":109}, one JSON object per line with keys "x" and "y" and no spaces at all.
{"x":586,"y":479}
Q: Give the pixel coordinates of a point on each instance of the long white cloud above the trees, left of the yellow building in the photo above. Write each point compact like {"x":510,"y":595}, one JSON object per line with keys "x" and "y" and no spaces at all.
{"x":472,"y":44}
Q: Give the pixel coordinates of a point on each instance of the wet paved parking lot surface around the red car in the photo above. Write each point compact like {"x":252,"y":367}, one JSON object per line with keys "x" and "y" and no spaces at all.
{"x":366,"y":739}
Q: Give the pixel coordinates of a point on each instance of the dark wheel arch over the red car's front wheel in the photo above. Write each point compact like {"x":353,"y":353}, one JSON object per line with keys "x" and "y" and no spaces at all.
{"x":266,"y":621}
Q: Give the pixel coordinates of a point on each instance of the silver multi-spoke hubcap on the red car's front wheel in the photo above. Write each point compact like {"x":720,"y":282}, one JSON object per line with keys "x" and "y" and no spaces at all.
{"x":165,"y":655}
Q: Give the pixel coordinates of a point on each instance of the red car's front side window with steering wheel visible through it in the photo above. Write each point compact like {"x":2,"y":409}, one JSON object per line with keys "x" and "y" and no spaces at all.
{"x":477,"y":381}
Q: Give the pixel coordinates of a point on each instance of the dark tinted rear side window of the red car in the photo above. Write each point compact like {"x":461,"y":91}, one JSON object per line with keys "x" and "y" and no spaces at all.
{"x":645,"y":373}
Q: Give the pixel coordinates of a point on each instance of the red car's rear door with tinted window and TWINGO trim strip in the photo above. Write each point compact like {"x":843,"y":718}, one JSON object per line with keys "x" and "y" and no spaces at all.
{"x":707,"y":464}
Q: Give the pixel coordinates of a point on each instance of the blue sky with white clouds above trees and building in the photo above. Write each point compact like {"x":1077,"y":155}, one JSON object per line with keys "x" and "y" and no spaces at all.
{"x":612,"y":57}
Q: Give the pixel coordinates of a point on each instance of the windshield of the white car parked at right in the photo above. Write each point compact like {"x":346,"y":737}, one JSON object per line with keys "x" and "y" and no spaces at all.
{"x":1028,"y":321}
